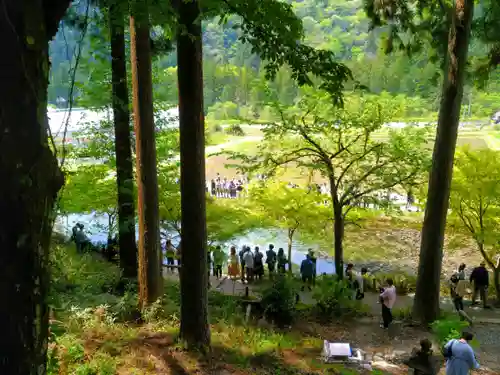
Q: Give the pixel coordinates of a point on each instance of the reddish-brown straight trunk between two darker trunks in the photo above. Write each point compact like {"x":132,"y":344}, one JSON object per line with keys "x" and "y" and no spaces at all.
{"x":150,"y":282}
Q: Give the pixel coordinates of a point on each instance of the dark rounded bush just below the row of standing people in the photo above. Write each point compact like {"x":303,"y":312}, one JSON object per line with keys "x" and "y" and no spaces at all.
{"x":278,"y":301}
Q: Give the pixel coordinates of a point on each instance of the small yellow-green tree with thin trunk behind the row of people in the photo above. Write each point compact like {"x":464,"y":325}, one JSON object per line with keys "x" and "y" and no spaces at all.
{"x":290,"y":208}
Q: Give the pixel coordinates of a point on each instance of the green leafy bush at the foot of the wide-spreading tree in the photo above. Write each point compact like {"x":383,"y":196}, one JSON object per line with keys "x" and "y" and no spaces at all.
{"x":334,"y":298}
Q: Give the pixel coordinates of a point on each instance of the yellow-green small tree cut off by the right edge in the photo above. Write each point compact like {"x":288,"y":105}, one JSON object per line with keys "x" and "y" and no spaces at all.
{"x":475,"y":201}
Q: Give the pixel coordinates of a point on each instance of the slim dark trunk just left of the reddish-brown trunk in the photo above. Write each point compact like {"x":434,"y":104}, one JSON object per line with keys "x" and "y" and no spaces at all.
{"x":123,"y":145}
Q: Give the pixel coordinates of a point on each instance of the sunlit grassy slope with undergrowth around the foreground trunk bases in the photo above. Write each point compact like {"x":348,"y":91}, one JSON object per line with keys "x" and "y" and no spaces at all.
{"x":92,"y":334}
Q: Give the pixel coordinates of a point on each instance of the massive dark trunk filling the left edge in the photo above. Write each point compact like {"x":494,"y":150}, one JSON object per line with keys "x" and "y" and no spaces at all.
{"x":31,"y":179}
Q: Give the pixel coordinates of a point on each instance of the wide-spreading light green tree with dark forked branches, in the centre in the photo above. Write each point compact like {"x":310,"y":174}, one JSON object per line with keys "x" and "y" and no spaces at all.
{"x":349,"y":146}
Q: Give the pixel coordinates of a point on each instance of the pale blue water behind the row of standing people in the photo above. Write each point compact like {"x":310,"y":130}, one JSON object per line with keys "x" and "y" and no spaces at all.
{"x":96,"y":224}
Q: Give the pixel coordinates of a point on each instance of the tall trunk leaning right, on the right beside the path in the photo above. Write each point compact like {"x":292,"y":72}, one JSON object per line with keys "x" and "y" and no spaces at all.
{"x":426,"y":305}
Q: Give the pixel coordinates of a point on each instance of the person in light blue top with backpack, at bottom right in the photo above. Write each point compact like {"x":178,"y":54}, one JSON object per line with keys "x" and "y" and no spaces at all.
{"x":460,"y":358}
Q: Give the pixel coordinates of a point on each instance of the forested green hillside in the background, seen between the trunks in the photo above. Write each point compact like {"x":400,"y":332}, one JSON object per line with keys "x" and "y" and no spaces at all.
{"x":235,"y":80}
